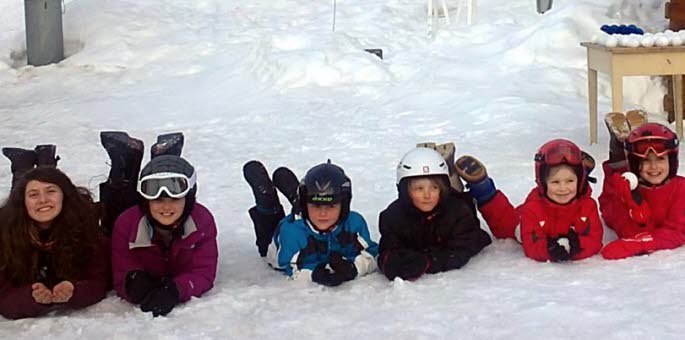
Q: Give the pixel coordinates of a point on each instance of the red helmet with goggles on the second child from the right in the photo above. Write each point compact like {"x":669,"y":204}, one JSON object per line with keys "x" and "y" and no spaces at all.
{"x":561,"y":151}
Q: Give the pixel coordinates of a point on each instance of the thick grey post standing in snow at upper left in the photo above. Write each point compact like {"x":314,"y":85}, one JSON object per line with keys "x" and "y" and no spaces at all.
{"x":44,"y":37}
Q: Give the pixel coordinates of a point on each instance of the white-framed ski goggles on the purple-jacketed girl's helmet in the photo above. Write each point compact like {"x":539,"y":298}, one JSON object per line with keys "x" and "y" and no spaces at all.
{"x":173,"y":185}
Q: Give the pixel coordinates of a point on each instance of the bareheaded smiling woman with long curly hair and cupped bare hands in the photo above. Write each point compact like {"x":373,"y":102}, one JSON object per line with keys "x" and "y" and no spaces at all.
{"x":53,"y":254}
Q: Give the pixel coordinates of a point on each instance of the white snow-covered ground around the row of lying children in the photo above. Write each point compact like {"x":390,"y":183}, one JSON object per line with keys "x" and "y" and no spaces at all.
{"x":269,"y":80}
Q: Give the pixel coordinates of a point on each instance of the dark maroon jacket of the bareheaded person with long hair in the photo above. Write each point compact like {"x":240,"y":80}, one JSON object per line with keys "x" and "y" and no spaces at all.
{"x":17,"y":302}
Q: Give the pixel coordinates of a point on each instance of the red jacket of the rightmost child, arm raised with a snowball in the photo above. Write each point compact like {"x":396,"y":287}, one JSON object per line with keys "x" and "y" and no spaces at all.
{"x":666,"y":204}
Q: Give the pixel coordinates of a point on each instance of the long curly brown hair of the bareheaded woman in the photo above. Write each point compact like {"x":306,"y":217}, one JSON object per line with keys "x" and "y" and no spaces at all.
{"x":75,"y":232}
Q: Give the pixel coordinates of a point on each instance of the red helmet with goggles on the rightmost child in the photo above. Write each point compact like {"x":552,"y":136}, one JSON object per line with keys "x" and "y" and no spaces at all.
{"x":654,"y":138}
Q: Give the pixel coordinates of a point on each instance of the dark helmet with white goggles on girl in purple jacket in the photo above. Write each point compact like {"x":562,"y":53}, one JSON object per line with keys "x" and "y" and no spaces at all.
{"x":176,"y":177}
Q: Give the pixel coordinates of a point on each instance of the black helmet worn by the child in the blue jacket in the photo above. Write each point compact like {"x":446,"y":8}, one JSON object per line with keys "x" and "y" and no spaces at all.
{"x":326,"y":184}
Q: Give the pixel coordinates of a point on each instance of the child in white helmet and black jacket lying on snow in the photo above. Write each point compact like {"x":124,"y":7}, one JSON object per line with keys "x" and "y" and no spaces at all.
{"x":431,"y":227}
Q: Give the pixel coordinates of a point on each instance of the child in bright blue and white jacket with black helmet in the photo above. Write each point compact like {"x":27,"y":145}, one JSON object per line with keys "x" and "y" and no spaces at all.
{"x":321,"y":240}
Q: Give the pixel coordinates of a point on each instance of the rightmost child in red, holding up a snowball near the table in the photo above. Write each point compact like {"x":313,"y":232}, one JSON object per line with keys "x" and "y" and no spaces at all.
{"x":647,"y":214}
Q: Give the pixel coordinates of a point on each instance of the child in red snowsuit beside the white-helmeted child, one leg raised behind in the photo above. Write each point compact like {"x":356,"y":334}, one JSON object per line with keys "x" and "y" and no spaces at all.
{"x":558,"y":220}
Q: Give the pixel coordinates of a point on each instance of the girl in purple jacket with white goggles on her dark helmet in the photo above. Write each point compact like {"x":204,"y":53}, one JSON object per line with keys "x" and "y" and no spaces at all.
{"x":164,"y":249}
